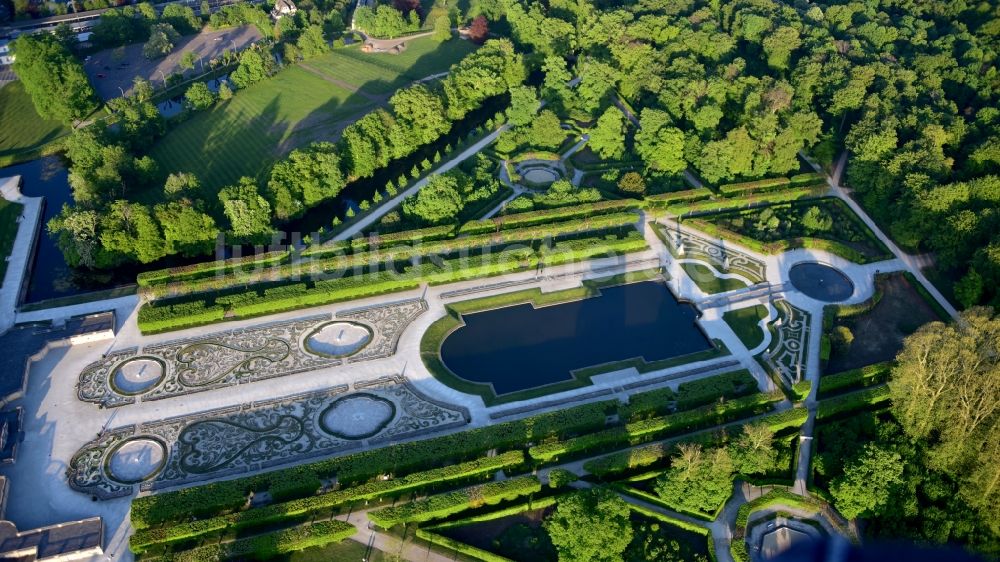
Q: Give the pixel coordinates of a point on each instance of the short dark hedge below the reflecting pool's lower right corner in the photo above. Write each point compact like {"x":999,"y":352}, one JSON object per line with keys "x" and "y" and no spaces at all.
{"x":689,"y":395}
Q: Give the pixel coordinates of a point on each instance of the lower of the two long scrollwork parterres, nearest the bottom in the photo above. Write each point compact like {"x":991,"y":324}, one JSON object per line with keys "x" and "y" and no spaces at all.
{"x":256,"y":436}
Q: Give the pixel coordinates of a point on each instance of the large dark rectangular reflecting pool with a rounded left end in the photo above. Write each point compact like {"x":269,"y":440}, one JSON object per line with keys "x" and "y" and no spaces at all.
{"x":519,"y":347}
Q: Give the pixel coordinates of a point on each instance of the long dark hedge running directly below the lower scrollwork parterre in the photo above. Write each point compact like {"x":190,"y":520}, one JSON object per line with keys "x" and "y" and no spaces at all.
{"x":402,"y":458}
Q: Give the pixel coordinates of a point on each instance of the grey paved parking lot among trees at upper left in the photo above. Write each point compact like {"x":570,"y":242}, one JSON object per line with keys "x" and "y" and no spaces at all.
{"x":112,"y":71}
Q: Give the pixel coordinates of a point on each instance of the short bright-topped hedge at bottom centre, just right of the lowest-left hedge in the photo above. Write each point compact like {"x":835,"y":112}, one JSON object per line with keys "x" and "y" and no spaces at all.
{"x":443,"y":505}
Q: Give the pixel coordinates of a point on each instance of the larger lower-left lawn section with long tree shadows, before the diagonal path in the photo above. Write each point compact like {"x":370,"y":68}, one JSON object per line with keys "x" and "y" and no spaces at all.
{"x":244,"y":136}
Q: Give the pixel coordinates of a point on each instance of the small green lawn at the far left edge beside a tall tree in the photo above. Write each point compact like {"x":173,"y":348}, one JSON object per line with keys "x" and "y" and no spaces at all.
{"x":22,"y":132}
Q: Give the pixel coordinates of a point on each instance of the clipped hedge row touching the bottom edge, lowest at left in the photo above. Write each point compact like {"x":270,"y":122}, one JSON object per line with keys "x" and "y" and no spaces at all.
{"x":269,"y":545}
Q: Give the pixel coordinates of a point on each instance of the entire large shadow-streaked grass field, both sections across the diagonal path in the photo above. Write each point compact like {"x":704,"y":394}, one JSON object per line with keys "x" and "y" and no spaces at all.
{"x":246,"y":135}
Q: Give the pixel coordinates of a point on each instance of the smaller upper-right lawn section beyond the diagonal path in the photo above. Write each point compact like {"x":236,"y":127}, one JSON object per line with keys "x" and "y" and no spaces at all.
{"x":381,"y":73}
